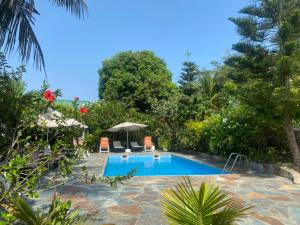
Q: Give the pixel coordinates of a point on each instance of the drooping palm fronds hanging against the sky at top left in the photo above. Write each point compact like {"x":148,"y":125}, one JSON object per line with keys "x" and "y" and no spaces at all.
{"x":16,"y":32}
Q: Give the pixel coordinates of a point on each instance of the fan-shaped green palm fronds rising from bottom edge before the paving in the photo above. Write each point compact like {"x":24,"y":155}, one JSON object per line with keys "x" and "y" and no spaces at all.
{"x":206,"y":205}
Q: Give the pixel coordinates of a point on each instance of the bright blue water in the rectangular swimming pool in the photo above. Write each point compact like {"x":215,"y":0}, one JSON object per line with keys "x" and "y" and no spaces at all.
{"x":167,"y":165}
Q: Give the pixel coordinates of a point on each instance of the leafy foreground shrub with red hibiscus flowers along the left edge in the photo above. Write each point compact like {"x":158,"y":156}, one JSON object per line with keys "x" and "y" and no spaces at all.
{"x":24,"y":160}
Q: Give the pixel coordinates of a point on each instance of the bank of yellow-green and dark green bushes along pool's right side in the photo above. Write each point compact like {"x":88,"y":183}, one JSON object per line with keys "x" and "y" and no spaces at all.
{"x":237,"y":130}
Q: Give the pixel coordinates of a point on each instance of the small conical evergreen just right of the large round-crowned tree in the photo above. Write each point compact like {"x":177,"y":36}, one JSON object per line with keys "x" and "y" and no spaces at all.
{"x":188,"y":76}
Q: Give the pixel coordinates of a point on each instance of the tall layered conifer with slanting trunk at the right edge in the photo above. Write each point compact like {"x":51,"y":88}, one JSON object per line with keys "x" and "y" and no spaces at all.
{"x":267,"y":68}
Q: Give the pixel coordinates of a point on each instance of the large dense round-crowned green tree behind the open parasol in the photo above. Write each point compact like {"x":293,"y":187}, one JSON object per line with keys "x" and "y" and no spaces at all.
{"x":136,"y":78}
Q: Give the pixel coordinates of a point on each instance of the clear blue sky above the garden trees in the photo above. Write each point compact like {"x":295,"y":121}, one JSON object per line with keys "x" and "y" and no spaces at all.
{"x":74,"y":49}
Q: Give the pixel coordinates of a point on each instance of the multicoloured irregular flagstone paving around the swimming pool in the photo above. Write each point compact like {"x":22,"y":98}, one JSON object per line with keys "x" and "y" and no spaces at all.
{"x":276,"y":200}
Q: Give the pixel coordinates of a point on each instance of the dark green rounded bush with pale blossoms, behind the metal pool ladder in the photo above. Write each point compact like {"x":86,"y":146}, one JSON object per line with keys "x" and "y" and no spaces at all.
{"x":241,"y":130}
